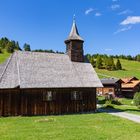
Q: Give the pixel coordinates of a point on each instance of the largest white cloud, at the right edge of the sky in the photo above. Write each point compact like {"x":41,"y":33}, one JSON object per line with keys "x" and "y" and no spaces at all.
{"x":131,"y":20}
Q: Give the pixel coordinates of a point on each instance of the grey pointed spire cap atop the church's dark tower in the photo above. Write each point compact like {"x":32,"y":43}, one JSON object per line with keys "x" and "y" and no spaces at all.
{"x":74,"y":34}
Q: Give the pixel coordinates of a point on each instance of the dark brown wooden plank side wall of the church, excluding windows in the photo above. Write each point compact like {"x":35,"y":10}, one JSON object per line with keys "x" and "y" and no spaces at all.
{"x":29,"y":102}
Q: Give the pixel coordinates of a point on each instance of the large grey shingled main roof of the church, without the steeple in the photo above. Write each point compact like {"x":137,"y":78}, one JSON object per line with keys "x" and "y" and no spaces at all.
{"x":46,"y":70}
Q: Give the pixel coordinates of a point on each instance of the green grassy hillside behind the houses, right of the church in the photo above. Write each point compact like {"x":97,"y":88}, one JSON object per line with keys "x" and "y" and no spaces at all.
{"x":131,"y":68}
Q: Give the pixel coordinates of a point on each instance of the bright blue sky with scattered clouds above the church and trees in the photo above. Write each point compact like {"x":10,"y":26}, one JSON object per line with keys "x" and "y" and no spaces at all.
{"x":107,"y":26}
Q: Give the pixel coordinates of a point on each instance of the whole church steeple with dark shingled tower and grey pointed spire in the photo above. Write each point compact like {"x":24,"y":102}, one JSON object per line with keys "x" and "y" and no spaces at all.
{"x":74,"y":44}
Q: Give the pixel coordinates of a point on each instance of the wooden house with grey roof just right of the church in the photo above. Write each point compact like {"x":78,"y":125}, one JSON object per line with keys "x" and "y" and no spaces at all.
{"x":110,"y":86}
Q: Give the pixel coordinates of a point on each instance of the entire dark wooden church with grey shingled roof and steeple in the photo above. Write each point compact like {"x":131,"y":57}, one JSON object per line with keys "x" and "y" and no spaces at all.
{"x":34,"y":83}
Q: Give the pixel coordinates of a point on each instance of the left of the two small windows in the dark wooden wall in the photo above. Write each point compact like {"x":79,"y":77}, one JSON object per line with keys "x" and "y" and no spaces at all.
{"x":48,"y":95}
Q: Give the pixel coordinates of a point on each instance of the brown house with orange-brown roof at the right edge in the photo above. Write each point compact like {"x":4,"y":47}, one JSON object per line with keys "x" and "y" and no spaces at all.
{"x":130,"y":86}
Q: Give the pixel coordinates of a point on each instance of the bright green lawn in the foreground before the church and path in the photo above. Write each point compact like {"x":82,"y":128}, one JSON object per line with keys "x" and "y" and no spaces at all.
{"x":98,"y":126}
